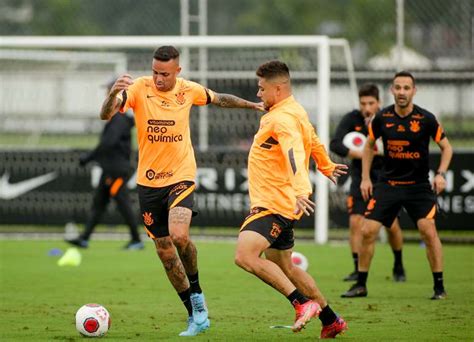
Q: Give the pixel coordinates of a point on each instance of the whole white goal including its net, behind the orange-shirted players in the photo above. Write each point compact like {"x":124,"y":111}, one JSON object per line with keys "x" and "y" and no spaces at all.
{"x":52,"y":90}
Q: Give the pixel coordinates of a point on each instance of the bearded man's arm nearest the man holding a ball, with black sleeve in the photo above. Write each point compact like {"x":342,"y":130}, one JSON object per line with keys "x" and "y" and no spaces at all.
{"x":366,"y":186}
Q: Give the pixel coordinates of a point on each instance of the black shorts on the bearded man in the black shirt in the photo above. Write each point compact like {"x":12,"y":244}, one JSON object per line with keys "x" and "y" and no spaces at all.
{"x":418,"y":200}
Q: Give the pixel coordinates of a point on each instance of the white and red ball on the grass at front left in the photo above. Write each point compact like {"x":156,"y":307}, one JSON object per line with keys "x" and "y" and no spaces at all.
{"x":92,"y":320}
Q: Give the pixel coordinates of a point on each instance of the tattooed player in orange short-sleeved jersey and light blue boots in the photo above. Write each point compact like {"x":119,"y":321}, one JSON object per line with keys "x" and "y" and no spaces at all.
{"x":167,"y":167}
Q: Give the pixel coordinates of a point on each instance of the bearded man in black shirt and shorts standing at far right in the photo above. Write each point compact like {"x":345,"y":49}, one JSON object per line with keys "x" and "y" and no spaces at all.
{"x":406,"y":130}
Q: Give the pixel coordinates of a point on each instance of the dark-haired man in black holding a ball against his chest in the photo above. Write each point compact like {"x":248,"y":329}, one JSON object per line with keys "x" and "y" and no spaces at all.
{"x":356,"y":121}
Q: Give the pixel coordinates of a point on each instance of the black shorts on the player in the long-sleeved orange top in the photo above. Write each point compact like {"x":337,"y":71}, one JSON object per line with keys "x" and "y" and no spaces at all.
{"x":278,"y":230}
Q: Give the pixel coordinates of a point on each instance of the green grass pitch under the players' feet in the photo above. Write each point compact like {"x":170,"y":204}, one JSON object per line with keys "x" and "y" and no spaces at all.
{"x":39,"y":299}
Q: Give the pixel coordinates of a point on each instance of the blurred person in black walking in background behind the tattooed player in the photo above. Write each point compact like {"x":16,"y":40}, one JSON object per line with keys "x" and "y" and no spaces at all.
{"x":113,"y":155}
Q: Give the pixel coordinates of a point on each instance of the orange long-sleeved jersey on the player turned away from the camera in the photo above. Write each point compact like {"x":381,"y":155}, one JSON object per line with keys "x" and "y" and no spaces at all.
{"x":279,"y":159}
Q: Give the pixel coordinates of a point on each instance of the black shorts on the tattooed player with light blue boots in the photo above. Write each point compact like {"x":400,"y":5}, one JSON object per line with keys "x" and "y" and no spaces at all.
{"x":155,"y":204}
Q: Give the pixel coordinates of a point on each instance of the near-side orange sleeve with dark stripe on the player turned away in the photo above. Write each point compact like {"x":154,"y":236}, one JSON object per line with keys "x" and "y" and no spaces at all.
{"x":290,"y":139}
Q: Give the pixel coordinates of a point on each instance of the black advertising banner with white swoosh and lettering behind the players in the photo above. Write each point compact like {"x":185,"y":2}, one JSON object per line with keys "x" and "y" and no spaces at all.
{"x":49,"y":188}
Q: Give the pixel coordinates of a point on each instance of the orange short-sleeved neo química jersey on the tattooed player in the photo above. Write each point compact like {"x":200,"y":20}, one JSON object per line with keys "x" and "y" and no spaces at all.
{"x":166,"y":155}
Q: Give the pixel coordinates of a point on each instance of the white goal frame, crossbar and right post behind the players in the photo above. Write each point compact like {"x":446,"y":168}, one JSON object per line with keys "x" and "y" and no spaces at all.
{"x":204,"y":70}
